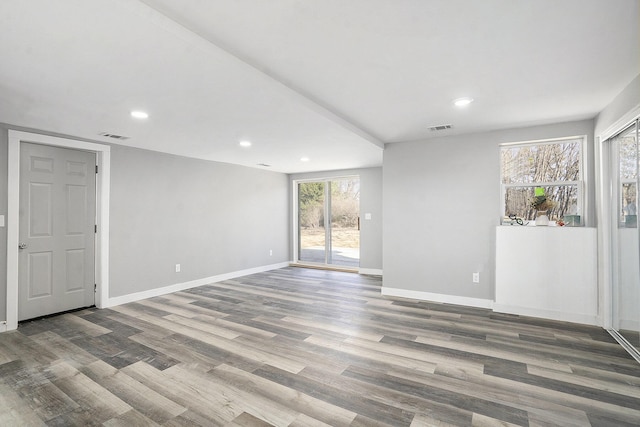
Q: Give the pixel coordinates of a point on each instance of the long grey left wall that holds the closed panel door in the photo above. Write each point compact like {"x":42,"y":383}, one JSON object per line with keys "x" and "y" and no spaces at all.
{"x":212,"y":218}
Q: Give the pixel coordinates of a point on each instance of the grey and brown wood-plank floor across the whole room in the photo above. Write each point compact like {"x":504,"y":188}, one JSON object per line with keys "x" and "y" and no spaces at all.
{"x":300,"y":347}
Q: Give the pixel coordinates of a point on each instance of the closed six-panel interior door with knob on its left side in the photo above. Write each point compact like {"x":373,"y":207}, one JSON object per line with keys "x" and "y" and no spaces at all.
{"x":56,"y":261}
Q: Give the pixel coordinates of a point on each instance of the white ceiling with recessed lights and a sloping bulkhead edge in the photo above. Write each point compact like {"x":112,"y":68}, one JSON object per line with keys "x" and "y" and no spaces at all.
{"x":332,"y":80}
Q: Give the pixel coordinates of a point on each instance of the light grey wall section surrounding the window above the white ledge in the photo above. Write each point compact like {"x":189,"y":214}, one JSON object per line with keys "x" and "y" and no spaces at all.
{"x":441,"y":207}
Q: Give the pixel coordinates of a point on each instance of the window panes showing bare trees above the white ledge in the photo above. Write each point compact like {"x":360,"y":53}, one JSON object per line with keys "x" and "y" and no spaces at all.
{"x":554,"y":165}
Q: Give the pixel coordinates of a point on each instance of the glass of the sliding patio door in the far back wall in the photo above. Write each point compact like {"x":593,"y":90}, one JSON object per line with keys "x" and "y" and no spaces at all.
{"x":329,"y":222}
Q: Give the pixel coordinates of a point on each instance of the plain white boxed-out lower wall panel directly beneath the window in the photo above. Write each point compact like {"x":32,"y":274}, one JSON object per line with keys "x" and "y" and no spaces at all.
{"x":547,"y":272}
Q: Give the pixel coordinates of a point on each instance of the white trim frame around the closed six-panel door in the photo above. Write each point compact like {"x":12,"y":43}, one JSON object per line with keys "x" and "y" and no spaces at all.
{"x":103,"y":158}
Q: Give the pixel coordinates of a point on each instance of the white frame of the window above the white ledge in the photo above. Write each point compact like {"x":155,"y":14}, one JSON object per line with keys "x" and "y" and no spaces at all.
{"x":580,"y":183}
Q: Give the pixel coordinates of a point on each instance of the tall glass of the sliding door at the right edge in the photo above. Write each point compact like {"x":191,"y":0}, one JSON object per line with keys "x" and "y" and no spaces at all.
{"x":626,"y":239}
